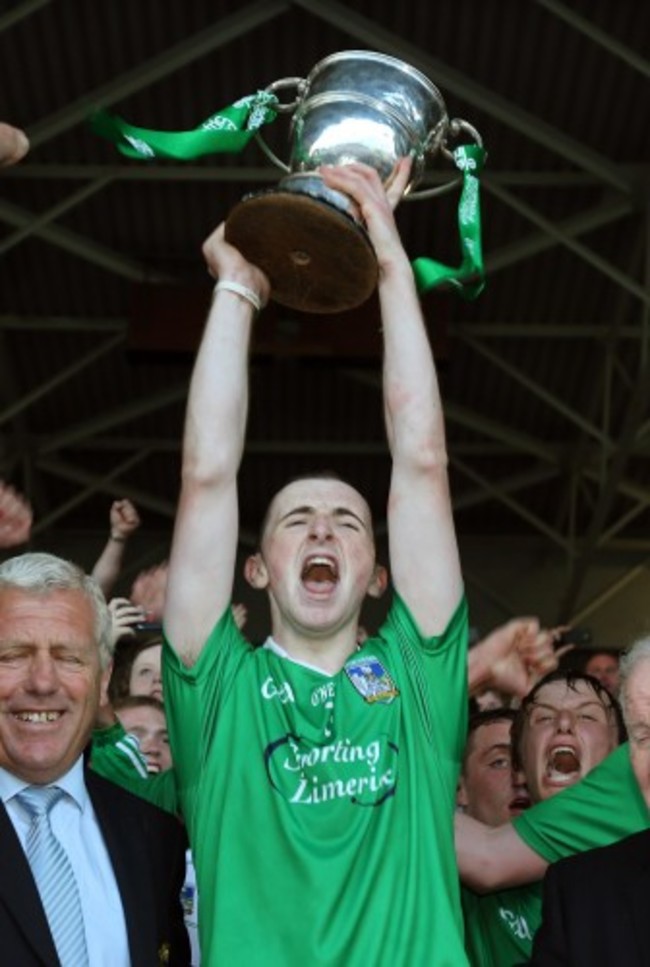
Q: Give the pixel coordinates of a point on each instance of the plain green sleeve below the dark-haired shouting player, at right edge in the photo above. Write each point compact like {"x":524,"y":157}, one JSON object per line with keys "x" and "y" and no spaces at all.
{"x":605,"y":806}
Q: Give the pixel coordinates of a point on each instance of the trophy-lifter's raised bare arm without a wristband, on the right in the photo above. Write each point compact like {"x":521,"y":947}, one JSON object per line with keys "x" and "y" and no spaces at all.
{"x":423,"y":553}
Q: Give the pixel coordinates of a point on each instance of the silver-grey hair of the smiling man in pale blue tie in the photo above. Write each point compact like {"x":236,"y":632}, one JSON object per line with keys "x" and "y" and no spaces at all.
{"x":40,"y":573}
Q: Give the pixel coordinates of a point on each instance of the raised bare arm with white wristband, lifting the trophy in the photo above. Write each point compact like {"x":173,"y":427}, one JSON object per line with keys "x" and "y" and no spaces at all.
{"x":204,"y":545}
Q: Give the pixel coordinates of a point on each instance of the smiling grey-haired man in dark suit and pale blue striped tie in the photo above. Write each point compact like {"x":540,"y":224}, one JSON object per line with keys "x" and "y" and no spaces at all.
{"x":90,"y":874}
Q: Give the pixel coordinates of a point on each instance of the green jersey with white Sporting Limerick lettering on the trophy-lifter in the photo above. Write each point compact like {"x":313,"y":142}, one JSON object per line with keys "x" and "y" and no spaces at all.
{"x":320,"y":807}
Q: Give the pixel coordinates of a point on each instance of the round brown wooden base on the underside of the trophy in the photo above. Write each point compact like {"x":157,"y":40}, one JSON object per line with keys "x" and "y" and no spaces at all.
{"x":318,"y":258}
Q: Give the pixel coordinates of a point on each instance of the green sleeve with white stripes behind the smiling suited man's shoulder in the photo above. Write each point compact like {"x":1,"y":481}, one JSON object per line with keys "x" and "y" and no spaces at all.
{"x":115,"y":755}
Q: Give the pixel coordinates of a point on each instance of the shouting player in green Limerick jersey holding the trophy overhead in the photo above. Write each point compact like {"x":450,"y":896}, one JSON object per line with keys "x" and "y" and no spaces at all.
{"x":316,"y":775}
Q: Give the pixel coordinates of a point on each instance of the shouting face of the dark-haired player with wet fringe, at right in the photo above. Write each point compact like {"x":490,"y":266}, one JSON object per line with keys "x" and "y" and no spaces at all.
{"x":568,"y":731}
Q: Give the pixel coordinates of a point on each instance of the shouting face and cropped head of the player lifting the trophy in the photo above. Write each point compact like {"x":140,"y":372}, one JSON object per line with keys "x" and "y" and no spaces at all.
{"x":318,"y":555}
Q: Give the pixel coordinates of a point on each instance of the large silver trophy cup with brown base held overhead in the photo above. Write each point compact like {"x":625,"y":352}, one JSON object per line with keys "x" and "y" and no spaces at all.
{"x":355,"y":106}
